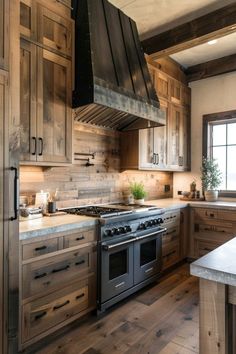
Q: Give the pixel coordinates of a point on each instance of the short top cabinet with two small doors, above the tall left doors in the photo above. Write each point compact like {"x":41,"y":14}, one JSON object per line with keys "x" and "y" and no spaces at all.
{"x":46,"y":27}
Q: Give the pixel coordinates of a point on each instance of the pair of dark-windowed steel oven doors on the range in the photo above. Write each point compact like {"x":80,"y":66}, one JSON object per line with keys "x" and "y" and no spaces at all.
{"x":127,"y":262}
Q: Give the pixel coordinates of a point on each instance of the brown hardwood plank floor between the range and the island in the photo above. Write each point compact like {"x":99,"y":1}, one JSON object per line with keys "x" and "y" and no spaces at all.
{"x":161,"y":319}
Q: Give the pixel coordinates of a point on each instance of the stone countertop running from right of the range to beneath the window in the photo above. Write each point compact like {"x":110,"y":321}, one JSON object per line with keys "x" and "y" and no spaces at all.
{"x":175,"y":203}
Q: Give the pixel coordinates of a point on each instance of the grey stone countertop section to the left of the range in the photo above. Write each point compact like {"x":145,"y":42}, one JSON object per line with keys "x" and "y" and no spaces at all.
{"x":47,"y":225}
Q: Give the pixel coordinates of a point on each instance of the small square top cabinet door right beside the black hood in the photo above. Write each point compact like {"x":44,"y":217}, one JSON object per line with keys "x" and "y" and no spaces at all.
{"x":54,"y":31}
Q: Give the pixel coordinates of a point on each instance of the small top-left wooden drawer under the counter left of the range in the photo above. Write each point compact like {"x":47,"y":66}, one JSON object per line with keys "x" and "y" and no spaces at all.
{"x":39,"y":248}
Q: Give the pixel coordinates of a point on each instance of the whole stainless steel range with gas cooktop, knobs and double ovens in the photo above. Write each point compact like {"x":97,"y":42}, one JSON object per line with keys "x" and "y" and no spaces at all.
{"x":129,"y":249}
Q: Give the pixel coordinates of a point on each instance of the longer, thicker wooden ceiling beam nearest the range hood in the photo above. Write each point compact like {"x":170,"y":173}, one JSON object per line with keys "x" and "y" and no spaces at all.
{"x":211,"y":26}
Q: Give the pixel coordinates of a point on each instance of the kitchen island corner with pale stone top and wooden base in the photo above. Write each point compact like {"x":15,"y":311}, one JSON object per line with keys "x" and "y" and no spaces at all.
{"x":217,"y":273}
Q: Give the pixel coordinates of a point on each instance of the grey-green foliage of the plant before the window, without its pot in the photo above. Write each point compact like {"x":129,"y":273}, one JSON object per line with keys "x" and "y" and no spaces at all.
{"x":211,"y":174}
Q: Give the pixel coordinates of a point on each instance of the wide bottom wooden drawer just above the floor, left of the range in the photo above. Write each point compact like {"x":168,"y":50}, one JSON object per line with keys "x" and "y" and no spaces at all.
{"x":42,"y":314}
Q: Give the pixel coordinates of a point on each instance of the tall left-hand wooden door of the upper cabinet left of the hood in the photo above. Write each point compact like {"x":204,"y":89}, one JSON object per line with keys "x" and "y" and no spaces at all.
{"x":28,"y":138}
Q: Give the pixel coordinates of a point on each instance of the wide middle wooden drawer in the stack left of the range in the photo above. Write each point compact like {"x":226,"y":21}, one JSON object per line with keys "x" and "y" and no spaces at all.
{"x":42,"y":276}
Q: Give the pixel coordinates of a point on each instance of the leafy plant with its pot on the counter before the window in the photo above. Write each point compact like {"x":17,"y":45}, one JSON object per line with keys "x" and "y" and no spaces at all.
{"x":211,"y":179}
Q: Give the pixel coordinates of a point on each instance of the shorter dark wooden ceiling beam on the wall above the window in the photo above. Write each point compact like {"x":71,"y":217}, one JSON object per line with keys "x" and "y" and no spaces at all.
{"x":211,"y":68}
